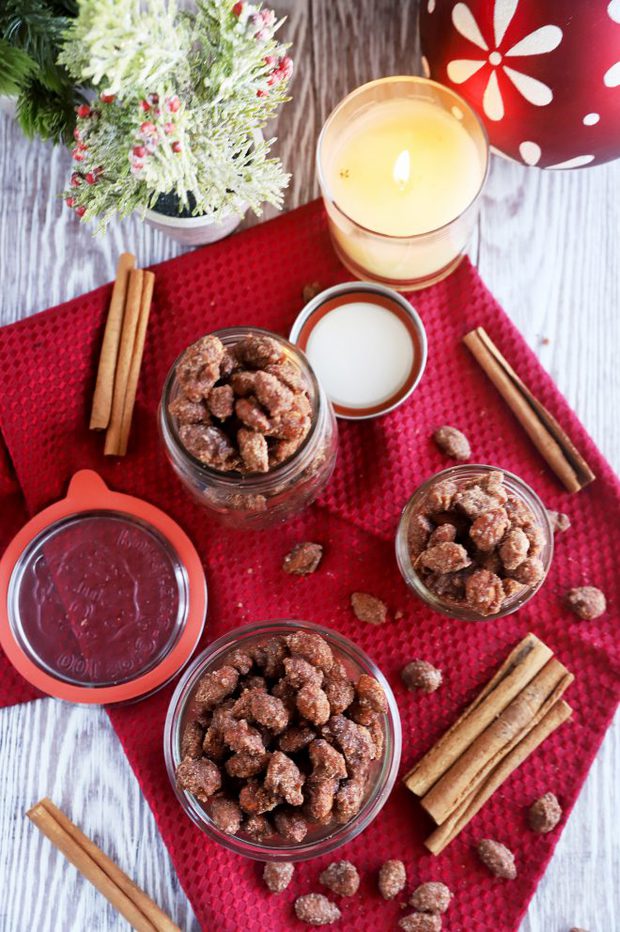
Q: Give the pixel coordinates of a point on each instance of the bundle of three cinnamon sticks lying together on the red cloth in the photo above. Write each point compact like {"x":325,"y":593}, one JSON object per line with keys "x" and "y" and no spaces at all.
{"x":512,"y":715}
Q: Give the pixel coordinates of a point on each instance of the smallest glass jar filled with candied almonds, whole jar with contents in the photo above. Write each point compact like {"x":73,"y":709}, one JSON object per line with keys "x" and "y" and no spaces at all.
{"x":474,"y":542}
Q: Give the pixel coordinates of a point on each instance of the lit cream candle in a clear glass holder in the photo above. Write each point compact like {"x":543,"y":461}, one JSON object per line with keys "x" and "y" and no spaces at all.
{"x":401,"y":164}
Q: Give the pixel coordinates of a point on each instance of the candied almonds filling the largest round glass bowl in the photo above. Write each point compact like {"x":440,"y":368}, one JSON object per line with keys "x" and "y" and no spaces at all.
{"x":280,"y":739}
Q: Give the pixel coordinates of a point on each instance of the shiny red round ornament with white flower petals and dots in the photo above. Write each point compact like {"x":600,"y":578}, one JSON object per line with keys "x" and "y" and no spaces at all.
{"x":544,"y":75}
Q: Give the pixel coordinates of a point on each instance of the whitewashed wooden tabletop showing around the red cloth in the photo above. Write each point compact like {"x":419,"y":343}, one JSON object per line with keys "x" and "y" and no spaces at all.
{"x":546,"y":245}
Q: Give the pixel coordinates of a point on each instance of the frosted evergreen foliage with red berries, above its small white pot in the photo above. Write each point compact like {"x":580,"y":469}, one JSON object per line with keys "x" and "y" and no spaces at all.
{"x":180,"y":98}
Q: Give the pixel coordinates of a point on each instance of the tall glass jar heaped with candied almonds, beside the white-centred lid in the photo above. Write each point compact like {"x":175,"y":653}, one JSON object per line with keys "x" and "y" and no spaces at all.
{"x":247,"y":427}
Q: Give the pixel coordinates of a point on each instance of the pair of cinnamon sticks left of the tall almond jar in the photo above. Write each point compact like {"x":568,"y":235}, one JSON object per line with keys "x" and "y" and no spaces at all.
{"x":121,"y":354}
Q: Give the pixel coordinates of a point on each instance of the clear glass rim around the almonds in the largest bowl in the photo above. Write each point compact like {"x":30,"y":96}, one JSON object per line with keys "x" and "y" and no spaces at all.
{"x":384,"y":780}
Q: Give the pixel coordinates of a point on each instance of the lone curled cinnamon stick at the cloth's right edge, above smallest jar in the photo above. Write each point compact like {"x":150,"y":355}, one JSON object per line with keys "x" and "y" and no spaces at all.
{"x":548,"y":437}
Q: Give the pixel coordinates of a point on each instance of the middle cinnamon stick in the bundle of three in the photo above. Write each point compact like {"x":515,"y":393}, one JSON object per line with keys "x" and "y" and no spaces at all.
{"x":467,"y":774}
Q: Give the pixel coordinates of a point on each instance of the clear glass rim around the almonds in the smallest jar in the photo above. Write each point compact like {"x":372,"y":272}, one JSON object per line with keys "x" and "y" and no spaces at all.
{"x":414,"y":580}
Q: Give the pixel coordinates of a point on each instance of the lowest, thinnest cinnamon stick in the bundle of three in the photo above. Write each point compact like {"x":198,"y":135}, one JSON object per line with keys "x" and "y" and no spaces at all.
{"x":448,"y":830}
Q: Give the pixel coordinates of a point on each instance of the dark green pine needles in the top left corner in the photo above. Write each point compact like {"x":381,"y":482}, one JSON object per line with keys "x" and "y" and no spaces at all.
{"x":31,"y":34}
